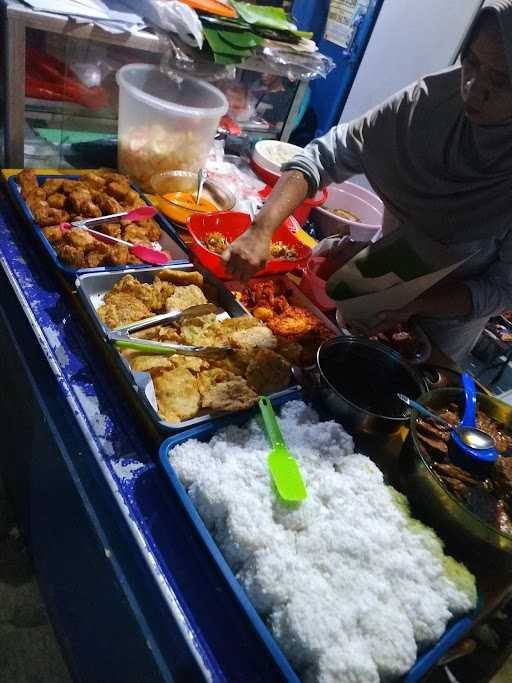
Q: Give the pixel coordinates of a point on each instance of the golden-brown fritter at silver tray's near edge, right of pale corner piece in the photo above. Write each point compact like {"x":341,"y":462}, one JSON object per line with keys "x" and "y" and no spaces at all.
{"x":222,"y":391}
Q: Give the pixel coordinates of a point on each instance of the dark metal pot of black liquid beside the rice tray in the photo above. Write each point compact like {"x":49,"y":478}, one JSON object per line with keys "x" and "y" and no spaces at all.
{"x":359,"y":381}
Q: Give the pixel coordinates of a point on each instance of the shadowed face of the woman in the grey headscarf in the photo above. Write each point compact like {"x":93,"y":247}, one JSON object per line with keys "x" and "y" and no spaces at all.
{"x":486,"y":88}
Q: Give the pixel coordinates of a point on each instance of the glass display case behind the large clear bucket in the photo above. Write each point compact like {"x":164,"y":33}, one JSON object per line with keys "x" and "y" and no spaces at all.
{"x":49,"y":126}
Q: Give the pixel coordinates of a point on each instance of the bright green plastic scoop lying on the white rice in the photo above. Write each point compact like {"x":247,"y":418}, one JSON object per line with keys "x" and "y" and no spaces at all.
{"x":282,"y":465}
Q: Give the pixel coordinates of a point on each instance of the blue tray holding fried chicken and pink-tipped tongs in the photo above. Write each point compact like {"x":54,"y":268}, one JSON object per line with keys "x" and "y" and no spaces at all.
{"x":169,"y":239}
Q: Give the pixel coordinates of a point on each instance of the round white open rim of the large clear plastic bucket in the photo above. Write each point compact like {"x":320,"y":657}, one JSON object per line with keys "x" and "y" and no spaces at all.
{"x":189,"y":97}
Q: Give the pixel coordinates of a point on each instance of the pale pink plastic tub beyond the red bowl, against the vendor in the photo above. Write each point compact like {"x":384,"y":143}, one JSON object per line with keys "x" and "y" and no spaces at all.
{"x":358,"y":201}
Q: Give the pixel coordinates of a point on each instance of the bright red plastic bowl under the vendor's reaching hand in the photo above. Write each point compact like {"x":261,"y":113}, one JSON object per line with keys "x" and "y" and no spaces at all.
{"x":232,"y":224}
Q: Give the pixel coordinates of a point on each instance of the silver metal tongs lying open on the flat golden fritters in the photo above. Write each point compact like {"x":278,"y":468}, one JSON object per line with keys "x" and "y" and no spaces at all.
{"x":121,"y":338}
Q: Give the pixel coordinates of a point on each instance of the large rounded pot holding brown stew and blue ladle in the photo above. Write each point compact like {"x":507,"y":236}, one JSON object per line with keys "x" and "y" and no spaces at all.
{"x":441,"y":508}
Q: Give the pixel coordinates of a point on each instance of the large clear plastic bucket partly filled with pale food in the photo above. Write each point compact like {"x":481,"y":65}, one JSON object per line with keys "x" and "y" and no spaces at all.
{"x":164,"y":125}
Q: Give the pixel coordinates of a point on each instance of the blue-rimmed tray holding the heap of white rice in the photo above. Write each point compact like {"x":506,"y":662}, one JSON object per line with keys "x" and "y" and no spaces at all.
{"x":424,"y":663}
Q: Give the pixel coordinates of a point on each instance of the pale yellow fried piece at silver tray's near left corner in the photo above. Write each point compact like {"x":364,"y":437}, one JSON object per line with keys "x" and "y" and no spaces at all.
{"x":177,"y":394}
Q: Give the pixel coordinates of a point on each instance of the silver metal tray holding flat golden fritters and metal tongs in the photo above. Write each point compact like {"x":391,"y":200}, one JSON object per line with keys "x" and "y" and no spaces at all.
{"x":92,"y":286}
